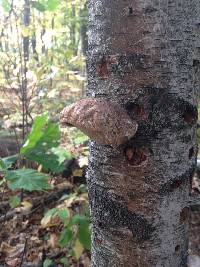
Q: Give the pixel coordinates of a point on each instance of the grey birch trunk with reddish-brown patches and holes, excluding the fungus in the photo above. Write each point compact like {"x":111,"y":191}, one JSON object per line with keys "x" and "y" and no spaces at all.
{"x":142,"y":55}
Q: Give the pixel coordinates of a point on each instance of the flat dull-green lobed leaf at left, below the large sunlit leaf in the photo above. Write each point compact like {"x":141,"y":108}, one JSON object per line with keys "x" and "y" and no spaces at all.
{"x":27,"y":179}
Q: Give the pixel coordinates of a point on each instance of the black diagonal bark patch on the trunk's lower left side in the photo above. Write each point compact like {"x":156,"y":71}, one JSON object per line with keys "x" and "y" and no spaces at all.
{"x":109,"y":213}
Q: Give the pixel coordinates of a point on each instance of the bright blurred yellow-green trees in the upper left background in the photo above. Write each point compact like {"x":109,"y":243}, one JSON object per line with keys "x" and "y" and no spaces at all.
{"x":42,"y":50}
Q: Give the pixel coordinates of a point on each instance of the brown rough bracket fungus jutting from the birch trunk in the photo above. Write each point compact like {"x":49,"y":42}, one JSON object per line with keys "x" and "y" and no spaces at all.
{"x":103,"y":121}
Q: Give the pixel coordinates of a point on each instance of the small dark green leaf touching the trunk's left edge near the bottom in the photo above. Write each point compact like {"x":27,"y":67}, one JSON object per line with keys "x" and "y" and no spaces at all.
{"x":84,"y":236}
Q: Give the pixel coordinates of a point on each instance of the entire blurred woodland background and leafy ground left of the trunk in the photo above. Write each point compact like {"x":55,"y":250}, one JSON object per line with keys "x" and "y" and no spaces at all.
{"x":43,"y":44}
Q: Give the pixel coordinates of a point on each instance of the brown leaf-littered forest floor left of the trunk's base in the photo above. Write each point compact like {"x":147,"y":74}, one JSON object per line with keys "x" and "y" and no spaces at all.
{"x":29,"y":239}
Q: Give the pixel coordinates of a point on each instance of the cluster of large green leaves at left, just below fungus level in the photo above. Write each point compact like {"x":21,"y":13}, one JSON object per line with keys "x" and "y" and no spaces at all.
{"x":41,"y":146}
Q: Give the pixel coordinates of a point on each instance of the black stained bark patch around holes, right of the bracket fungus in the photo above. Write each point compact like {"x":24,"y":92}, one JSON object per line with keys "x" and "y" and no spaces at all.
{"x":163,"y":111}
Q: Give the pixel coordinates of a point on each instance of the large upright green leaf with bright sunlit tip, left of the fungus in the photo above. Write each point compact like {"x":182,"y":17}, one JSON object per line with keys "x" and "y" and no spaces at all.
{"x":42,"y":144}
